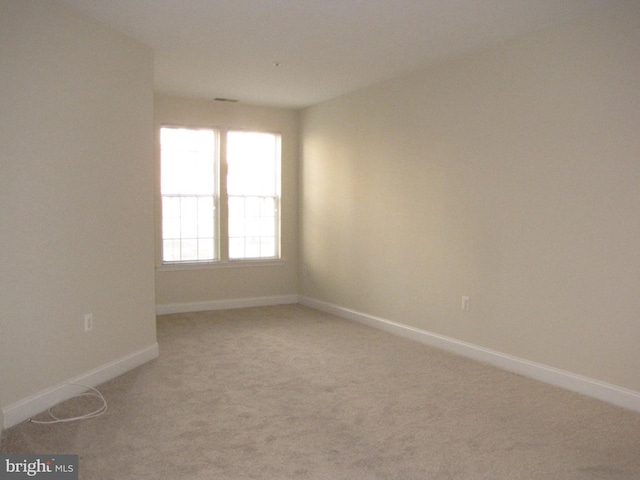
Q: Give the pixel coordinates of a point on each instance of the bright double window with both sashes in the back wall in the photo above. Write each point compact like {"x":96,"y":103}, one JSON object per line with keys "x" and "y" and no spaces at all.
{"x":192,"y":195}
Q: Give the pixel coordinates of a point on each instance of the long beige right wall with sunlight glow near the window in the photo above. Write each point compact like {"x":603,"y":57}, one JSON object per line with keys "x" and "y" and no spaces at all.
{"x":511,"y":175}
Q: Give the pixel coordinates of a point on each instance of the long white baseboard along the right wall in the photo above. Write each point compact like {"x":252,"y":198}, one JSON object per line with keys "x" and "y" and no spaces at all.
{"x":606,"y":392}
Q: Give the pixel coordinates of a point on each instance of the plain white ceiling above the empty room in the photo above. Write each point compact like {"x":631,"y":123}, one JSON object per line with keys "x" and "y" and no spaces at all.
{"x":324,"y":48}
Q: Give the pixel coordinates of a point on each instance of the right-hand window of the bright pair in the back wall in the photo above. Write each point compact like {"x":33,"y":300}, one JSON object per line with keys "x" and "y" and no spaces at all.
{"x":253,"y":189}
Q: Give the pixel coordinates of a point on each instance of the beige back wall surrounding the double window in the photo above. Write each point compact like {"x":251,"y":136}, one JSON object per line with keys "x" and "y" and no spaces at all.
{"x":182,"y":286}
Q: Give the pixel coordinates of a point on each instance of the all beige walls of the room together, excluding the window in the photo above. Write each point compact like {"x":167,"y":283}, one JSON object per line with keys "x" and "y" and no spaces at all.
{"x":510,"y":175}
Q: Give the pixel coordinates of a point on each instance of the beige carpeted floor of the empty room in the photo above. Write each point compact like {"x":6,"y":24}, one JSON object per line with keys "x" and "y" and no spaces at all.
{"x":288,"y":392}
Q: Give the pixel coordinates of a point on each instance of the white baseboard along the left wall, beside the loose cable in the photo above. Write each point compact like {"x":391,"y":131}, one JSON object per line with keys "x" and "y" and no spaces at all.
{"x":24,"y":409}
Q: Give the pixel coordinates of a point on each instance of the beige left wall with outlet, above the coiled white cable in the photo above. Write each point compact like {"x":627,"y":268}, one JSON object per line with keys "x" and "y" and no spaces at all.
{"x":76,"y":196}
